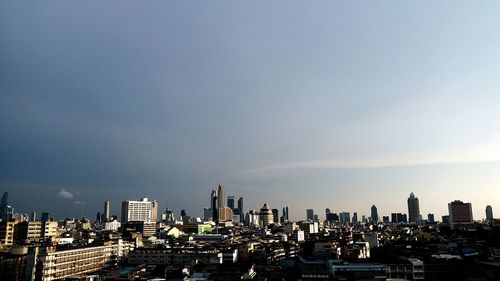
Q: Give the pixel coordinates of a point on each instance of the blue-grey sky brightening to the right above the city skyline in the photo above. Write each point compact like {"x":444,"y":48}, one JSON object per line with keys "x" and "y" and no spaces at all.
{"x":324,"y":104}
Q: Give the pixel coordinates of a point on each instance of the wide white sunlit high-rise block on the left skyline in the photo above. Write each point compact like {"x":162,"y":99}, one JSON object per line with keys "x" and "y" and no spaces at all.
{"x":143,"y":210}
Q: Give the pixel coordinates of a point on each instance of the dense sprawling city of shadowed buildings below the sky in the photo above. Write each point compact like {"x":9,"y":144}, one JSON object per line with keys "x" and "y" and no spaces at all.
{"x":228,"y":243}
